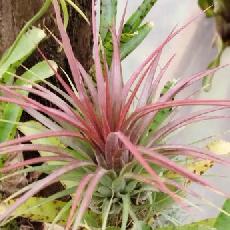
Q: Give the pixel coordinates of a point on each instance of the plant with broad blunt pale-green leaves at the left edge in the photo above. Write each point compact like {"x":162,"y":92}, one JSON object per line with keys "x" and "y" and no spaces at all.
{"x":25,"y":46}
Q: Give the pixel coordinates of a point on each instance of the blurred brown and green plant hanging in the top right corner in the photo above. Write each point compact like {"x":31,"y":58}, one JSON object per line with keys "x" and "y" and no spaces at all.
{"x":220,"y":10}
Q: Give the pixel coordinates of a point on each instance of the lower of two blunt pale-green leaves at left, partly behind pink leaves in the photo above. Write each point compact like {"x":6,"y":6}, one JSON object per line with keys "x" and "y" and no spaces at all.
{"x":12,"y":112}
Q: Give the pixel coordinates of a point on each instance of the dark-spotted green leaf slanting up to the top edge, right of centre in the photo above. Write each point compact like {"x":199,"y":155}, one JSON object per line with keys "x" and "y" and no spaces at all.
{"x":137,"y":17}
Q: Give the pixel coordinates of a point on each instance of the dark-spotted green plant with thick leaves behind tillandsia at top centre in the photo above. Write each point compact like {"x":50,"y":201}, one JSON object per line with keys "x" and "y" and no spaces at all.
{"x":133,"y":32}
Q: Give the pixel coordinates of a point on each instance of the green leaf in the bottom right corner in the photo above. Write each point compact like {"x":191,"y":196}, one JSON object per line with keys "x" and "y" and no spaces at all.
{"x":223,"y":221}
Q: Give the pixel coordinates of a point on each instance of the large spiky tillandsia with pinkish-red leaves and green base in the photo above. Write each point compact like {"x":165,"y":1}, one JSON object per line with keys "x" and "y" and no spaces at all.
{"x":103,"y":140}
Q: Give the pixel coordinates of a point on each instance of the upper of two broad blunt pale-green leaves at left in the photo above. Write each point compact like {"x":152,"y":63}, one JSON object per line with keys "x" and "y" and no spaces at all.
{"x":25,"y":46}
